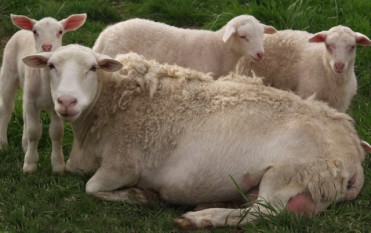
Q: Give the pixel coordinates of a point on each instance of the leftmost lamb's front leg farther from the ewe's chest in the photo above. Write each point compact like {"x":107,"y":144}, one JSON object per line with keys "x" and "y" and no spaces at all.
{"x":32,"y":134}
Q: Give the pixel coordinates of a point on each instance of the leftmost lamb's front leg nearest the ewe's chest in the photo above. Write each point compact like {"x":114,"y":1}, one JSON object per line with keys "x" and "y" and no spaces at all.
{"x":56,"y":135}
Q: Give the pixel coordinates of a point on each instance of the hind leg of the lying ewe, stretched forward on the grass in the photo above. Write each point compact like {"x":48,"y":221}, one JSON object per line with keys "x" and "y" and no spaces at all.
{"x":275,"y":192}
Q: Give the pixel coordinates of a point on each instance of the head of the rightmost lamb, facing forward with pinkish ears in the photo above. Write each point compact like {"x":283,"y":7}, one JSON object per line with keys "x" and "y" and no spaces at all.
{"x":341,"y":45}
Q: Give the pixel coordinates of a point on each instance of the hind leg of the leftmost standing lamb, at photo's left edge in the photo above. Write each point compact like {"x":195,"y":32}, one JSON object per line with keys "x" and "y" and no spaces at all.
{"x":8,"y":91}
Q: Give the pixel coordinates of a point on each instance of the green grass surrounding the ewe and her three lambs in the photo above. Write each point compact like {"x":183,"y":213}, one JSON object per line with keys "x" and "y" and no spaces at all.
{"x":43,"y":202}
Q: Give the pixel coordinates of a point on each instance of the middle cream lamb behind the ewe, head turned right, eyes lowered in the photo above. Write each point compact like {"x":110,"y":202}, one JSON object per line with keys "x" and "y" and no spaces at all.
{"x":203,"y":50}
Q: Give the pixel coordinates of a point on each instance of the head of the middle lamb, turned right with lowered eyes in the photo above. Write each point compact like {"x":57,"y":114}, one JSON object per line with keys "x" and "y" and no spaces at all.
{"x":245,"y":35}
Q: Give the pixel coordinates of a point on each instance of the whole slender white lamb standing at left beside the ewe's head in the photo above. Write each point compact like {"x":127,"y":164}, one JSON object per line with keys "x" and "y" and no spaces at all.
{"x":44,"y":35}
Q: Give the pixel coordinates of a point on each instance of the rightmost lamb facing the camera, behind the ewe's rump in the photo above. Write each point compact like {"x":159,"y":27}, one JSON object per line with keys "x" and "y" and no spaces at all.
{"x":320,"y":64}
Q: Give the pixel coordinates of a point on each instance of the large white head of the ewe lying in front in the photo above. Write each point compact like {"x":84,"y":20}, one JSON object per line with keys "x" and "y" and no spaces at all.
{"x":73,"y":77}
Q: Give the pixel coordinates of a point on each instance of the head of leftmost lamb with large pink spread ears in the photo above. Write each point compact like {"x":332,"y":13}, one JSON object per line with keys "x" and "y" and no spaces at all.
{"x":48,"y":32}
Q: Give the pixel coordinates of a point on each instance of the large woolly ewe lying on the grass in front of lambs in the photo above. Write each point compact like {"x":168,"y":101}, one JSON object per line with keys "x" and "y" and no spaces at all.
{"x":176,"y":131}
